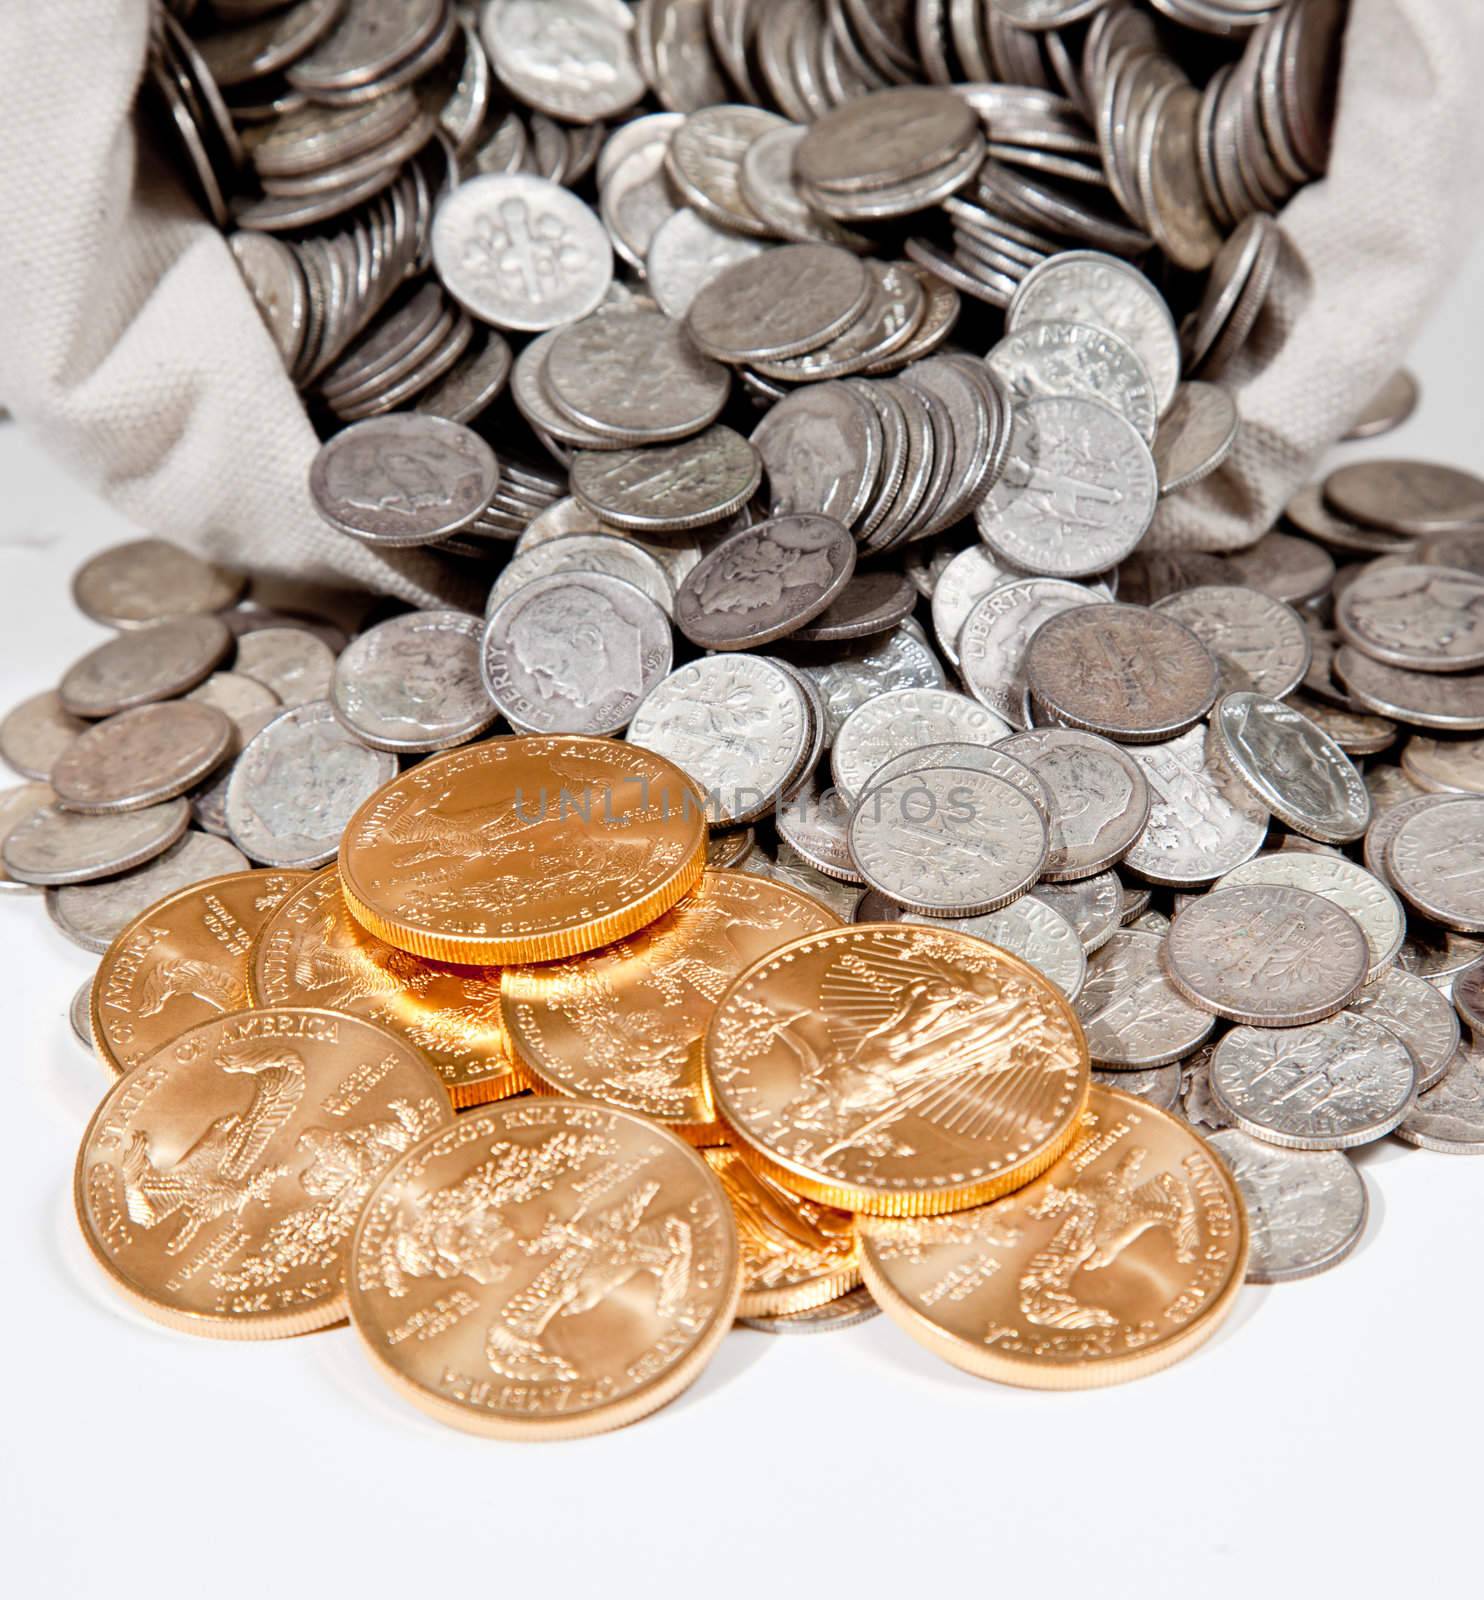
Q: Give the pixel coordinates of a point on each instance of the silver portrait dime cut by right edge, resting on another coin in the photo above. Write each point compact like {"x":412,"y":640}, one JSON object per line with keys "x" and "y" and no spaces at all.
{"x":1430,"y":618}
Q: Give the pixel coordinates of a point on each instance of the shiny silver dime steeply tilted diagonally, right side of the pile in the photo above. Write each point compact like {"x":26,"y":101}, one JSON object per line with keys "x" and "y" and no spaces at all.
{"x":1293,"y":767}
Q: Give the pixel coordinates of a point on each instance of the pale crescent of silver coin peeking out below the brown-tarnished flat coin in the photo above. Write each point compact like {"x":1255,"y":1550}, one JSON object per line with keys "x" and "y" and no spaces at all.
{"x":1099,"y":798}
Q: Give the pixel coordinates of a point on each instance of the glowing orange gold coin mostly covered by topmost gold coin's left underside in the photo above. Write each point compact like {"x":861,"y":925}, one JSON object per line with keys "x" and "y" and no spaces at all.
{"x":314,"y":953}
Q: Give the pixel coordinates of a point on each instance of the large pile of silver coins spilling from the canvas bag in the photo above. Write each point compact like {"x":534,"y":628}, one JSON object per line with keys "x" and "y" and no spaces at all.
{"x":808,"y":431}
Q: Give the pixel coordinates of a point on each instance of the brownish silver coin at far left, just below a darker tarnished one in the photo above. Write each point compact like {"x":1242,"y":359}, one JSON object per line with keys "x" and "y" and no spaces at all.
{"x":142,"y":758}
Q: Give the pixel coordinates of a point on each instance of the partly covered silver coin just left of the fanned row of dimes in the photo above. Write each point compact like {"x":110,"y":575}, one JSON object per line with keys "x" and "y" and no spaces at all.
{"x":692,"y":484}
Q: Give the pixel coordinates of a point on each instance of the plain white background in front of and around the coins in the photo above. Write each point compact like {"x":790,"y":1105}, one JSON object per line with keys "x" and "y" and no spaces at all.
{"x":1326,"y":1436}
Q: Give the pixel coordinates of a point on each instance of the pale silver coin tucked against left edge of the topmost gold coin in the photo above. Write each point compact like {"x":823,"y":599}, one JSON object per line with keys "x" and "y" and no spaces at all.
{"x":298,"y":785}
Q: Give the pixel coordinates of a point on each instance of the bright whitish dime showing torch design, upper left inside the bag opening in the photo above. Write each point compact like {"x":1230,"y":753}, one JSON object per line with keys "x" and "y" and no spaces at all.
{"x":521,"y":252}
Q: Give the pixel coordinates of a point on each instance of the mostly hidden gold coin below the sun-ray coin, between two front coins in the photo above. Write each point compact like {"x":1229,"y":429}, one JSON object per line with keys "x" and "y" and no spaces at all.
{"x":796,"y":1254}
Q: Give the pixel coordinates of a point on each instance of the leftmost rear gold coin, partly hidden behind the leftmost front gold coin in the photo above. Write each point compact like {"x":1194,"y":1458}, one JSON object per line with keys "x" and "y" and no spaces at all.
{"x":180,"y":962}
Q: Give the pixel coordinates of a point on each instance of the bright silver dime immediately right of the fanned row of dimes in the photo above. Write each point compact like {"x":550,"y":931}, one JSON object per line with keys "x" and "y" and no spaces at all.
{"x":1079,"y":490}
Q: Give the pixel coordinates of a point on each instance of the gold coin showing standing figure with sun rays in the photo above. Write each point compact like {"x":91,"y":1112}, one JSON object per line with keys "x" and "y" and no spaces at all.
{"x":898,"y":1070}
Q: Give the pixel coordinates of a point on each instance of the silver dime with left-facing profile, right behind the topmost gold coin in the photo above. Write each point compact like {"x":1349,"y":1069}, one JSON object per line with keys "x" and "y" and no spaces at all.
{"x":575,"y":654}
